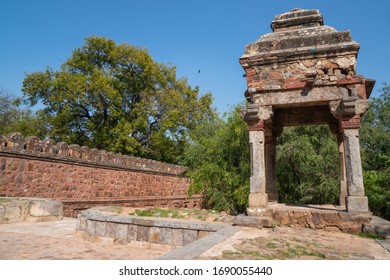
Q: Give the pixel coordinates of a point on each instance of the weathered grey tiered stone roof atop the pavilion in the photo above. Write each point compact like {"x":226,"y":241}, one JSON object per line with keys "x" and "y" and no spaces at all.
{"x":298,"y":32}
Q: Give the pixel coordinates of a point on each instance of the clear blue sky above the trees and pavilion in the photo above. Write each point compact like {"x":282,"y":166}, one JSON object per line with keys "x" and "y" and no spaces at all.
{"x":191,"y":34}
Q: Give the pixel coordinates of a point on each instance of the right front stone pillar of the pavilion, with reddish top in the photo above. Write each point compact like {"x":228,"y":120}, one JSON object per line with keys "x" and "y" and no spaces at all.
{"x":356,"y":201}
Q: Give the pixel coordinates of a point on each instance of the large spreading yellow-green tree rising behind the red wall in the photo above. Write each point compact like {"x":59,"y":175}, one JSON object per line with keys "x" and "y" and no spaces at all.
{"x":116,"y":97}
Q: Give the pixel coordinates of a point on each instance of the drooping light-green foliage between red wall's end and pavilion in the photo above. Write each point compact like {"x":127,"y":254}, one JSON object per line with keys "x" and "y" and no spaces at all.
{"x":218,"y":161}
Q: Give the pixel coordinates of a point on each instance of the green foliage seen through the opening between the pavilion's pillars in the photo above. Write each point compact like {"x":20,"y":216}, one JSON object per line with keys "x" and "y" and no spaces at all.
{"x":307,"y":165}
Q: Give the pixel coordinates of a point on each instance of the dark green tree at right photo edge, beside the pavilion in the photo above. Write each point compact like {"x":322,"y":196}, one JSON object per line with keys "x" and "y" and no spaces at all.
{"x":375,"y":147}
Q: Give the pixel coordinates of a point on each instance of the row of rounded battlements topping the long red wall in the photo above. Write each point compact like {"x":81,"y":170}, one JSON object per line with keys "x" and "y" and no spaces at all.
{"x":15,"y":145}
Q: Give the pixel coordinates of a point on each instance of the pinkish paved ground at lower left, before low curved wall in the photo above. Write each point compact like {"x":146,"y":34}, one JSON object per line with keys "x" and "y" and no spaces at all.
{"x":56,"y":240}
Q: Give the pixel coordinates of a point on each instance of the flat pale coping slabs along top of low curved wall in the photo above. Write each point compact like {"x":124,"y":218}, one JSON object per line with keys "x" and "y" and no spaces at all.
{"x":99,"y":215}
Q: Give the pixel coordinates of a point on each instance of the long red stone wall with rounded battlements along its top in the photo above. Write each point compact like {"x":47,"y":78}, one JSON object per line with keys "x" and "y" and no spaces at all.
{"x":81,"y":177}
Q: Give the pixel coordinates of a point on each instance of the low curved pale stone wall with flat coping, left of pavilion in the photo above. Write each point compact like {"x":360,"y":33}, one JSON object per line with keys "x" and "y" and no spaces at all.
{"x":99,"y":223}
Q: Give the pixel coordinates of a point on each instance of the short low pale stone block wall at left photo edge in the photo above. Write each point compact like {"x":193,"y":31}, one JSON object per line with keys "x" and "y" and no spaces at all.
{"x":16,"y":210}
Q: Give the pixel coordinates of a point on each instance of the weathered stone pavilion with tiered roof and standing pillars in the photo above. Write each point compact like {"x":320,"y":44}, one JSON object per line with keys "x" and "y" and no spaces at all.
{"x":304,"y":73}
